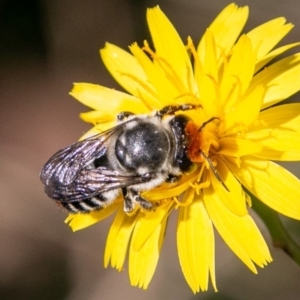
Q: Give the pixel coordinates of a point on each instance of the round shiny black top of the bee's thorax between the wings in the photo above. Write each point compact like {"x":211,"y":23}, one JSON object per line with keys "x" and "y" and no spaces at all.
{"x":144,"y":145}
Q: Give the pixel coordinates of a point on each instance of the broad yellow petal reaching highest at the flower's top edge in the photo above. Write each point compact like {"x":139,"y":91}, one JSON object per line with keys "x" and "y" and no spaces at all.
{"x":227,"y":27}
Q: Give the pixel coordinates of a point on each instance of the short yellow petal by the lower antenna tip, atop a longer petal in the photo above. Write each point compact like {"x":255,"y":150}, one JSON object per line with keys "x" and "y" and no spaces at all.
{"x":234,"y":199}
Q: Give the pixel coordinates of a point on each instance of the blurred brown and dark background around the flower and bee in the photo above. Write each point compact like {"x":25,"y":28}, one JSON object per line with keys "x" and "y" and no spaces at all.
{"x":45,"y":46}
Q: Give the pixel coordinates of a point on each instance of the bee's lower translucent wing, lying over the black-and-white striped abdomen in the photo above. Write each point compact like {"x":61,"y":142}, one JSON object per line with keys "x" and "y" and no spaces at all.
{"x":93,"y":182}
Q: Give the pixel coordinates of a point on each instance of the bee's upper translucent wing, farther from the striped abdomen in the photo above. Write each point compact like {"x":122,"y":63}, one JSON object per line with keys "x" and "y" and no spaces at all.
{"x":64,"y":166}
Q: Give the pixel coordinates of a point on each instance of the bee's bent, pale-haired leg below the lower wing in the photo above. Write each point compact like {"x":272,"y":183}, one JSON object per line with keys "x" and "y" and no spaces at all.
{"x":133,"y":197}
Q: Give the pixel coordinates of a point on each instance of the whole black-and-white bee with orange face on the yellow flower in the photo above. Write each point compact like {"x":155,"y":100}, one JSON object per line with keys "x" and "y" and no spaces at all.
{"x":138,"y":154}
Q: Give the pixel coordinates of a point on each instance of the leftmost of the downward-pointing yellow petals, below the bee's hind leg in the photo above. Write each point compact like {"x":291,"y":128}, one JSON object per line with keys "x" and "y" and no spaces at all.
{"x":118,"y":240}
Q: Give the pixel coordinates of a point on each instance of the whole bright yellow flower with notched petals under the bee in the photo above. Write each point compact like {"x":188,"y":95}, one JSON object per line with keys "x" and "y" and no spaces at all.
{"x":233,"y":85}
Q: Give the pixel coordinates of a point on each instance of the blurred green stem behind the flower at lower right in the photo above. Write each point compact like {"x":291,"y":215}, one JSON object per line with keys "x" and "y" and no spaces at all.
{"x":280,"y":237}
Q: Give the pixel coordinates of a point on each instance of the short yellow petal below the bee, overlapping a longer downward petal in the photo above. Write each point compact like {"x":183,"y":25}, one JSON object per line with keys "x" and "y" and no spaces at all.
{"x":147,"y":224}
